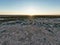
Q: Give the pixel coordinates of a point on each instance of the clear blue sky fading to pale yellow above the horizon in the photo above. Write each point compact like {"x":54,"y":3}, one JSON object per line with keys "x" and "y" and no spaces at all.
{"x":36,"y":7}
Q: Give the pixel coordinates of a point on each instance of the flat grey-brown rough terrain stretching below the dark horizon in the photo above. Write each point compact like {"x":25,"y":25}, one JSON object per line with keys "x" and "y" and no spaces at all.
{"x":25,"y":30}
